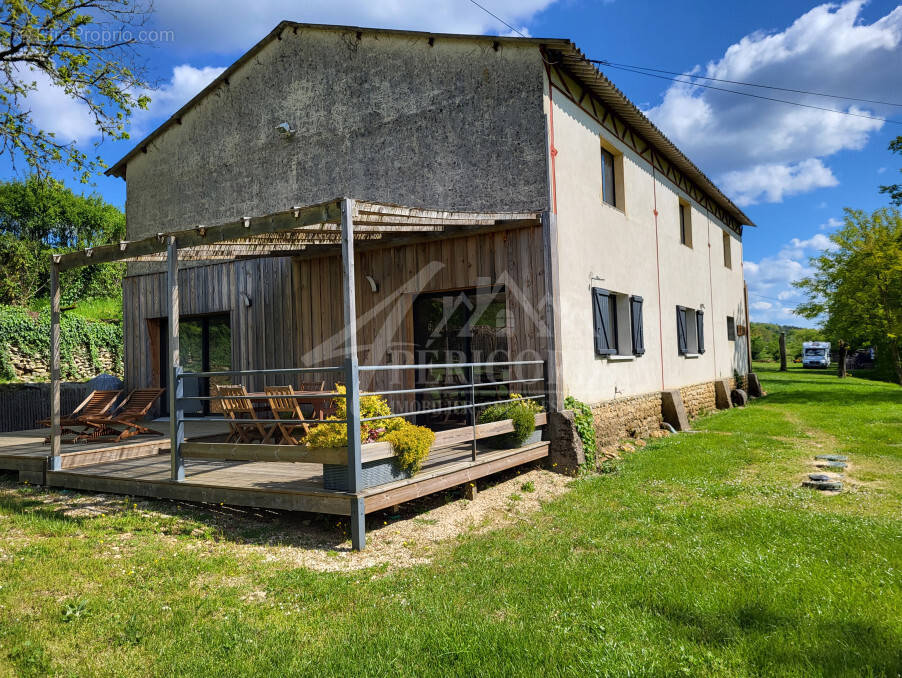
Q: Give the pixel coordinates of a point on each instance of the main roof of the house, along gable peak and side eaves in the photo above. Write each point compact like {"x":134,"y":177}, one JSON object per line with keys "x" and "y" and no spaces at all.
{"x":573,"y":59}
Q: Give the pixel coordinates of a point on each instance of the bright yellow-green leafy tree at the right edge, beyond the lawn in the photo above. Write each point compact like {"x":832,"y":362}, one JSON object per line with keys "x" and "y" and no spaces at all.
{"x":857,"y":284}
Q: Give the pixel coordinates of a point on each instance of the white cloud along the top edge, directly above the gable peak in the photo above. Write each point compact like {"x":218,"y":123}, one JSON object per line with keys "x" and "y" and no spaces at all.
{"x":228,"y":26}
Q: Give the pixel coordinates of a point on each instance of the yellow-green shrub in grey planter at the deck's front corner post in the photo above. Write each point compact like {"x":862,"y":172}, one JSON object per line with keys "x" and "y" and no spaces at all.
{"x":410,"y":443}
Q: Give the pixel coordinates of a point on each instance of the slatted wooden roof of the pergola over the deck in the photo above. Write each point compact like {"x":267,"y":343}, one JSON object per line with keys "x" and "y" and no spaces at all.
{"x":312,"y":230}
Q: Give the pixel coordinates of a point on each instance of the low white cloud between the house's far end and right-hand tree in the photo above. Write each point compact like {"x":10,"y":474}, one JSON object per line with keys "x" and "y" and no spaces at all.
{"x":772,"y":297}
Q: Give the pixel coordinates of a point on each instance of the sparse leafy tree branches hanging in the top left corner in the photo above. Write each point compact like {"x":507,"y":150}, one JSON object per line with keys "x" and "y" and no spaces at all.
{"x":83,"y":49}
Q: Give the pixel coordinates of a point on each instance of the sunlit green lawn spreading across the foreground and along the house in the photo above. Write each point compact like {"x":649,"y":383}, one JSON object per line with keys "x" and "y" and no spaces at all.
{"x":698,"y":555}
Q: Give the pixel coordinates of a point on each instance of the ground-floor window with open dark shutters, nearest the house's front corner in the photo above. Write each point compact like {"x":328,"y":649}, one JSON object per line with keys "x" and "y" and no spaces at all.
{"x":618,"y":324}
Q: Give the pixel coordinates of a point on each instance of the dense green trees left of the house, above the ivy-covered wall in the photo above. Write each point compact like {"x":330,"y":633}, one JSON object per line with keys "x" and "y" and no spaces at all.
{"x":40,"y":216}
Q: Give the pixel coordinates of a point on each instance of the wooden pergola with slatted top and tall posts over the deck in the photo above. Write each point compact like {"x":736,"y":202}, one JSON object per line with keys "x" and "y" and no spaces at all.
{"x":342,"y":224}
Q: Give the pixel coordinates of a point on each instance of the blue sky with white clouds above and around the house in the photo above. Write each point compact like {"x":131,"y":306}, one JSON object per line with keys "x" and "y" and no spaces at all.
{"x":792,"y":169}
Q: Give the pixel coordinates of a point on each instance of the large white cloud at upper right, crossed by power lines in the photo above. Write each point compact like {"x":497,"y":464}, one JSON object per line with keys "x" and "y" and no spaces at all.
{"x":765,"y":151}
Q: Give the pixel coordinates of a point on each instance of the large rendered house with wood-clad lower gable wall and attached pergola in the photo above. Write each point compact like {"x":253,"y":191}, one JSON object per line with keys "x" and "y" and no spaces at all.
{"x":509,"y":210}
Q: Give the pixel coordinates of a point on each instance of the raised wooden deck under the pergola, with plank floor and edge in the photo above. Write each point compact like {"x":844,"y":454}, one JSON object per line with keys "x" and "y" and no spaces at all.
{"x":142,"y":468}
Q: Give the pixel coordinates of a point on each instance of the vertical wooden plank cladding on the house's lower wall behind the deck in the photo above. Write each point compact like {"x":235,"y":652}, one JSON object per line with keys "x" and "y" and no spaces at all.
{"x":288,"y":312}
